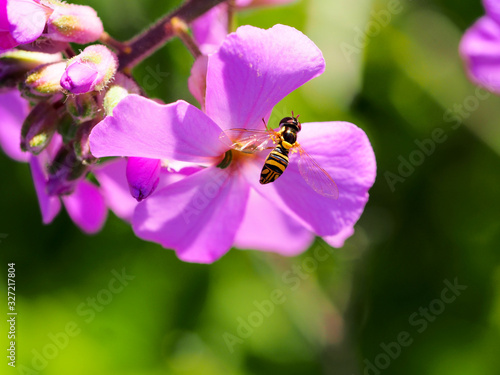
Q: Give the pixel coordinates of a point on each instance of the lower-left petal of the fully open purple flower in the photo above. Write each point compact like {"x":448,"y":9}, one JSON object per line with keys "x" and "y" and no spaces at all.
{"x":198,"y":217}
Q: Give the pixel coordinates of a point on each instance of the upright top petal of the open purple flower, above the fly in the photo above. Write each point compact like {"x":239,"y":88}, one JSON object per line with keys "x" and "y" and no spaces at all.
{"x":254,"y":69}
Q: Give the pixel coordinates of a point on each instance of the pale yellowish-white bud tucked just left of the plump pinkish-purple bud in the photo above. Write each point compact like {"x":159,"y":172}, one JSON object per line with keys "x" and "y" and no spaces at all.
{"x":43,"y":81}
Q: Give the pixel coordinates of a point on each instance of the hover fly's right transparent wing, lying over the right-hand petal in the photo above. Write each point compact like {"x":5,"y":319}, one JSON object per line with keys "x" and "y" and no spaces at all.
{"x":315,"y":176}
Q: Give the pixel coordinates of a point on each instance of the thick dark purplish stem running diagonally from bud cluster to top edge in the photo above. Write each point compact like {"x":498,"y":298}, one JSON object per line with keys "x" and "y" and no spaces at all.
{"x":152,"y":39}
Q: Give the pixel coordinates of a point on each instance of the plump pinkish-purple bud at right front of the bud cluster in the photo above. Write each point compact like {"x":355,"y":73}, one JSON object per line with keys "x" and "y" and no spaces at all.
{"x":90,"y":70}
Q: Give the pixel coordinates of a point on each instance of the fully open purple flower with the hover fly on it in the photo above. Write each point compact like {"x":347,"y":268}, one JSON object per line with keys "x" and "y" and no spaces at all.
{"x":204,"y":214}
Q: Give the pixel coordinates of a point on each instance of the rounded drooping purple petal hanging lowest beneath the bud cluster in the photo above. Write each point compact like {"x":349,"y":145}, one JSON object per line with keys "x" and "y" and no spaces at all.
{"x":86,"y":207}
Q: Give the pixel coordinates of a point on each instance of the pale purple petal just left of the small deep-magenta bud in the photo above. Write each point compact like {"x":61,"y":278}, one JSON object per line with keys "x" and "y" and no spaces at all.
{"x":114,"y":188}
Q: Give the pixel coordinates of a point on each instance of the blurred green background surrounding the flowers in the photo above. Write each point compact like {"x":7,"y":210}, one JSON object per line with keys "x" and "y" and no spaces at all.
{"x":440,"y":222}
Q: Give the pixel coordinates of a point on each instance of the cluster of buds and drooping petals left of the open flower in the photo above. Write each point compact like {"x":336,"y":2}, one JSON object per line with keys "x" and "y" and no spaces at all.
{"x":48,"y":121}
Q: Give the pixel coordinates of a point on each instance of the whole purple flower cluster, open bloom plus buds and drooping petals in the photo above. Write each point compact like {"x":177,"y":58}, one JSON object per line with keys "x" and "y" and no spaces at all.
{"x":170,"y":173}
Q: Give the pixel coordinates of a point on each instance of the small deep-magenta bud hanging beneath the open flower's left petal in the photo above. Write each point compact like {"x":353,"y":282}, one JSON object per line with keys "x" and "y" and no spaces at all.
{"x":143,"y":176}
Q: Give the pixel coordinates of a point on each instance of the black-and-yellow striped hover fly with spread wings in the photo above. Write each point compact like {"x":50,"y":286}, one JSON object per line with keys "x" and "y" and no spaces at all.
{"x":281,"y":142}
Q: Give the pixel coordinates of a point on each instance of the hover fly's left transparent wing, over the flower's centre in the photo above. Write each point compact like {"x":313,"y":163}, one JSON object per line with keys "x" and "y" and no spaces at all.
{"x":248,"y":141}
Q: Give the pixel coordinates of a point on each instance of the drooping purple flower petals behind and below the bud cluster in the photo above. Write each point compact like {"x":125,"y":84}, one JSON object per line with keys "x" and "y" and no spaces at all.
{"x":86,"y":204}
